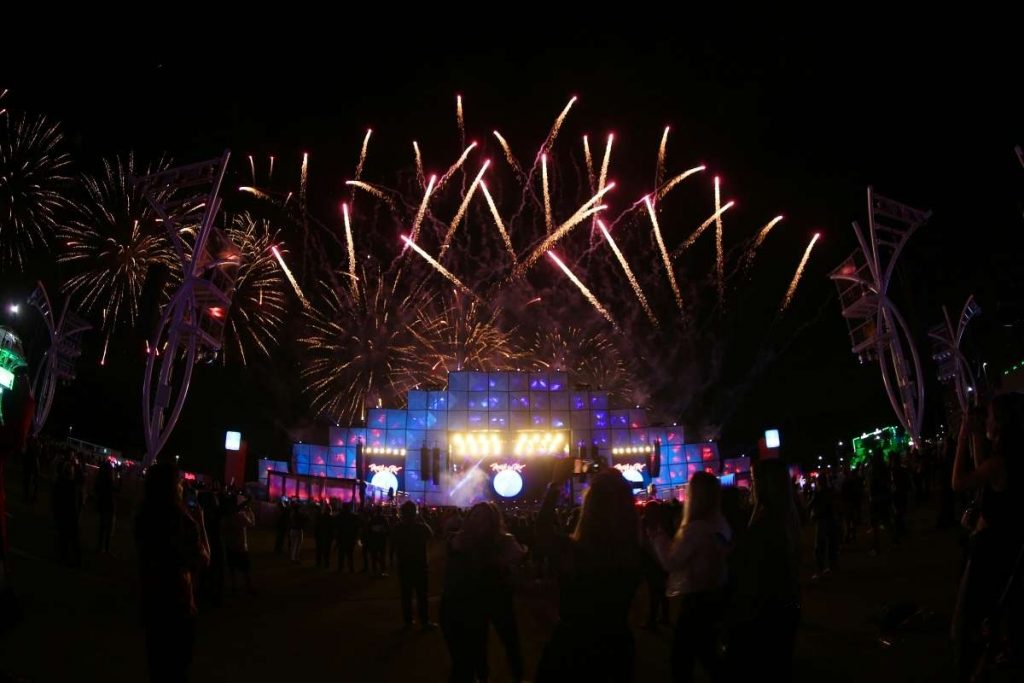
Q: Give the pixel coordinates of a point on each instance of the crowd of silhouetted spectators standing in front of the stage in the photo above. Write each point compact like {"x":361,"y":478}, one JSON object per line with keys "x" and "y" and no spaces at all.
{"x":726,"y":565}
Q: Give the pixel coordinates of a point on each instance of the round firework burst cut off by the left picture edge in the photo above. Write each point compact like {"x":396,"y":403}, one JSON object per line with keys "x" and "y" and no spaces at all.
{"x":33,"y":181}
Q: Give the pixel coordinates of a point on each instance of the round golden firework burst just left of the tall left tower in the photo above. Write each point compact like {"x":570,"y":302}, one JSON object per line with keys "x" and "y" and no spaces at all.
{"x":113,"y":238}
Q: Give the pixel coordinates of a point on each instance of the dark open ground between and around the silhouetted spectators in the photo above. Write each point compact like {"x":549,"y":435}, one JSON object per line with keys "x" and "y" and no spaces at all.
{"x":82,"y":625}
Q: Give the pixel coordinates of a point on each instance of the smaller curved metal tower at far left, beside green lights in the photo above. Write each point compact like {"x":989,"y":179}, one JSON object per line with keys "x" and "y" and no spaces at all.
{"x":59,"y":363}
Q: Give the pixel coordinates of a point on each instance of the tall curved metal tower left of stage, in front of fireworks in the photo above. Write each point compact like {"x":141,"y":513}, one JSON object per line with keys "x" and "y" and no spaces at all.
{"x":193,"y":322}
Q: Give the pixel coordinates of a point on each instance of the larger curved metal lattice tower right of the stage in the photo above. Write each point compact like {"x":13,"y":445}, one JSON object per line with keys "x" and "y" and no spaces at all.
{"x":878,"y":331}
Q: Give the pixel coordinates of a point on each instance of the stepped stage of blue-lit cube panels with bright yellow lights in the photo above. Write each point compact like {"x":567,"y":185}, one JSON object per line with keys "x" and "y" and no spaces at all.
{"x":498,"y":436}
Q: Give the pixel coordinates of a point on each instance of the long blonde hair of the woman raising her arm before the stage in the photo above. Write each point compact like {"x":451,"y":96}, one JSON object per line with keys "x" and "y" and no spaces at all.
{"x":608,"y":524}
